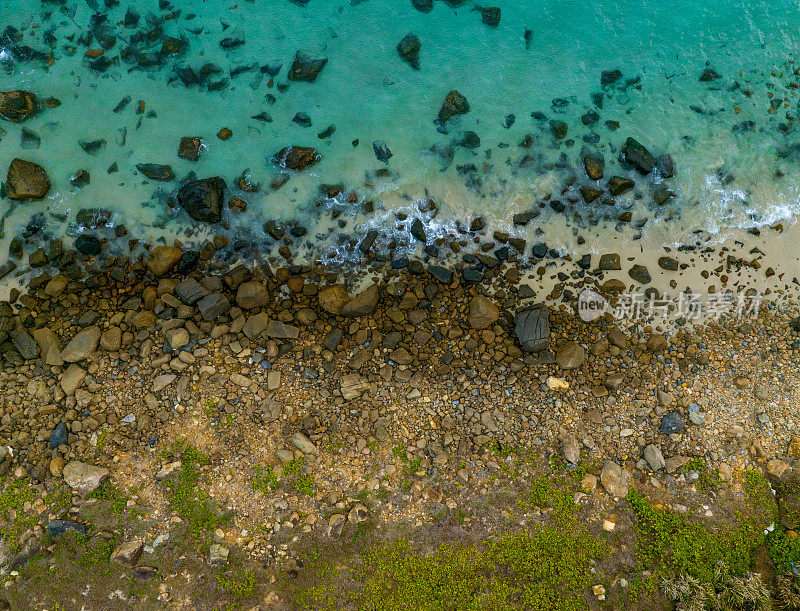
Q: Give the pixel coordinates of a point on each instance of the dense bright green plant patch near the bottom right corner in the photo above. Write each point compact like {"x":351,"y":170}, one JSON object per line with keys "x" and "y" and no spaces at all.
{"x":673,"y":544}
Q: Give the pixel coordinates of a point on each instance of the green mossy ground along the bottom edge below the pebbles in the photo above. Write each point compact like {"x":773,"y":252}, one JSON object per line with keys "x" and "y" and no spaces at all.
{"x":528,"y":545}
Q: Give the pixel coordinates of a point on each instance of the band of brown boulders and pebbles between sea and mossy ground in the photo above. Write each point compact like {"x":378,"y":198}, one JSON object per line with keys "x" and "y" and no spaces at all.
{"x":321,"y":401}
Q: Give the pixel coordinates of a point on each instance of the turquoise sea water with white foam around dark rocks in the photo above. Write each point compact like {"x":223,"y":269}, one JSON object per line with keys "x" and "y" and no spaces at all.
{"x":734,"y":139}
